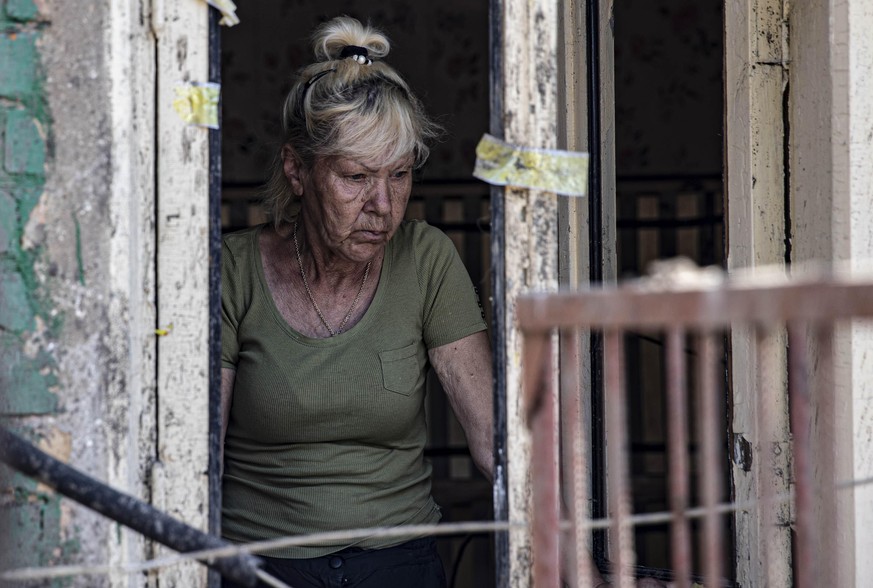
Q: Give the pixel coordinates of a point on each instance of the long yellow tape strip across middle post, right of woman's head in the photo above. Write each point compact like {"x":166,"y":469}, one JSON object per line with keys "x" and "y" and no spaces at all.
{"x":552,"y":170}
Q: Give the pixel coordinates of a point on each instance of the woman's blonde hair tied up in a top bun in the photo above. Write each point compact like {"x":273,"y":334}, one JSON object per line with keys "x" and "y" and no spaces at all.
{"x":341,"y":107}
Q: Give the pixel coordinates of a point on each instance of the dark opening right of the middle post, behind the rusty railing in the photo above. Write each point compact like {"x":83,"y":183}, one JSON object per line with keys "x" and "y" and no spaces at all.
{"x":670,"y":202}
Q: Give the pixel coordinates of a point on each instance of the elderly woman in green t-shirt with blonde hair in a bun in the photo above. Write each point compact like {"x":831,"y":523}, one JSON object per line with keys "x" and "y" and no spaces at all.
{"x":331,"y":316}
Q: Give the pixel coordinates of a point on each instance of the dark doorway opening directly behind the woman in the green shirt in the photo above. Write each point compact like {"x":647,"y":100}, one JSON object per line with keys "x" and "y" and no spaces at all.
{"x":442,"y":51}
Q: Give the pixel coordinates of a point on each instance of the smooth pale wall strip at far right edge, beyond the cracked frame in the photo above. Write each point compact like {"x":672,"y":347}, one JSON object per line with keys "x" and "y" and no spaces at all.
{"x":831,"y":210}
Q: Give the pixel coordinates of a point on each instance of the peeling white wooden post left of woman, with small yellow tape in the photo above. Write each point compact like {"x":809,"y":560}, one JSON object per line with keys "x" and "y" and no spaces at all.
{"x":180,"y":476}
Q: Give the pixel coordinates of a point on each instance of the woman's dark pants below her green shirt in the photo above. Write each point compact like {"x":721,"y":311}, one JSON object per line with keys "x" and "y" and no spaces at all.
{"x":415,"y":564}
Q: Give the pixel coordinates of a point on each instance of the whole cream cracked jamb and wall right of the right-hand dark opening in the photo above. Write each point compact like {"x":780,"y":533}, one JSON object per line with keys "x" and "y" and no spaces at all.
{"x":799,"y":161}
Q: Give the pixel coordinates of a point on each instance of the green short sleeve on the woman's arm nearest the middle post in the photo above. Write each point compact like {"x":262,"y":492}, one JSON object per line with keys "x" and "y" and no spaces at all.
{"x":450,"y":305}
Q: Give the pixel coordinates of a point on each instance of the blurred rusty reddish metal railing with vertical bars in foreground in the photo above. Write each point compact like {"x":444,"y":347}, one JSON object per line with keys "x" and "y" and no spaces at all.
{"x":699,"y":308}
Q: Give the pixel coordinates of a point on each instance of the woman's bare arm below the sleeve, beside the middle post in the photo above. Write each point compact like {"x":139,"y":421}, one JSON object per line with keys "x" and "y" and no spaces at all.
{"x":464,"y":369}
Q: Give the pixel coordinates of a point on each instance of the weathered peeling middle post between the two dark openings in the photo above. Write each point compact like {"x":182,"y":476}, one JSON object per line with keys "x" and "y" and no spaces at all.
{"x":540,"y":240}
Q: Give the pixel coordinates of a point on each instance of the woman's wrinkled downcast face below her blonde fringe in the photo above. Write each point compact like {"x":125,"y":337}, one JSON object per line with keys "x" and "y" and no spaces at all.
{"x":354,"y":205}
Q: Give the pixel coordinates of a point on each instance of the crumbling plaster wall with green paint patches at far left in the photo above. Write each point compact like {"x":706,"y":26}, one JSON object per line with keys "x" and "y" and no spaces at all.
{"x":73,"y":350}
